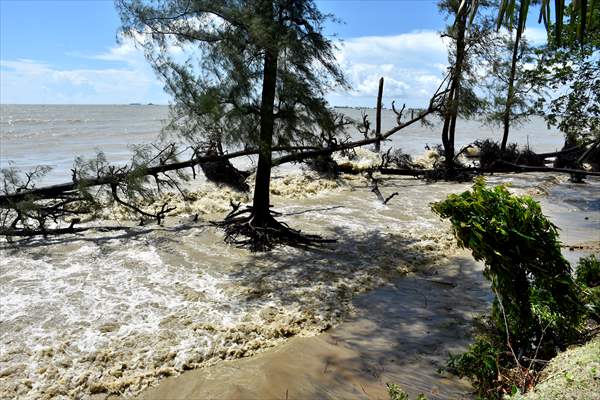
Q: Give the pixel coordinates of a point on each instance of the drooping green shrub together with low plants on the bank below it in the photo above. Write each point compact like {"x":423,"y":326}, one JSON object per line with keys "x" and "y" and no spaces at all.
{"x":538,"y":306}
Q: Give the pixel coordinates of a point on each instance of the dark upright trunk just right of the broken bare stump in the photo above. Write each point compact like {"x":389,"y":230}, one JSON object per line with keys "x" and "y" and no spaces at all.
{"x":449,"y":129}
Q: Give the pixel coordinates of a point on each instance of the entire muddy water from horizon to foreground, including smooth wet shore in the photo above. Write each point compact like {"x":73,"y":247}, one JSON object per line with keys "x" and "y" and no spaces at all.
{"x":116,"y":312}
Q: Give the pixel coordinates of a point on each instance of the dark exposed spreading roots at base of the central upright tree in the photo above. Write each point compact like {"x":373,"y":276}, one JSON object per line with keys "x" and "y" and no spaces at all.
{"x":256,"y":232}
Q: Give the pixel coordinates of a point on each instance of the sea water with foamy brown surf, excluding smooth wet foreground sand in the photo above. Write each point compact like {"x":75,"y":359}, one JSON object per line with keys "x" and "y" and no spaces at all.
{"x":116,"y":311}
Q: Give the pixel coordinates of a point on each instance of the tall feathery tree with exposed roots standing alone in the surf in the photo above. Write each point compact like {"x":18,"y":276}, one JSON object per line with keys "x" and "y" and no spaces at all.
{"x":255,"y":74}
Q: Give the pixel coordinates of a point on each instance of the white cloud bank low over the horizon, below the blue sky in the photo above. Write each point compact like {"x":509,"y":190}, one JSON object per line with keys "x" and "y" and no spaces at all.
{"x":412,"y":64}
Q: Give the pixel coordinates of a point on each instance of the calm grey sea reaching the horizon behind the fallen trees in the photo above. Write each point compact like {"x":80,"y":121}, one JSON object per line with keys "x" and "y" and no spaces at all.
{"x":54,"y":135}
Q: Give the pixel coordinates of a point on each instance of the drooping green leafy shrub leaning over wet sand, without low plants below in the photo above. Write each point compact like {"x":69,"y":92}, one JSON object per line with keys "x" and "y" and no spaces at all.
{"x":535,"y":293}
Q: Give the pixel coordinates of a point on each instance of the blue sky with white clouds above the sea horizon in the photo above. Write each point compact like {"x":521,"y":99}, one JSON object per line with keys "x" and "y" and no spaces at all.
{"x":66,"y":52}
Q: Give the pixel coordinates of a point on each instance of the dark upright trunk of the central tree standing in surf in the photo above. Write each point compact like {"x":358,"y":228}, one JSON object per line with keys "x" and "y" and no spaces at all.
{"x":267,"y":123}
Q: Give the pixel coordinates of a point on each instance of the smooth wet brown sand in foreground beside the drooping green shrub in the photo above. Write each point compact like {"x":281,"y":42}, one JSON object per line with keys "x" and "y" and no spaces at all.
{"x":401,"y":333}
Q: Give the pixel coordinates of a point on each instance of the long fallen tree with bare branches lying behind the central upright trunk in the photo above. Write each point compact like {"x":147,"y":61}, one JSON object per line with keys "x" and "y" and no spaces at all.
{"x":29,"y":210}
